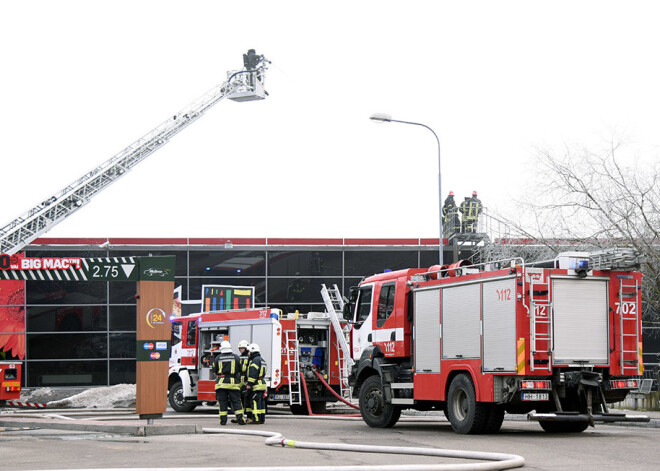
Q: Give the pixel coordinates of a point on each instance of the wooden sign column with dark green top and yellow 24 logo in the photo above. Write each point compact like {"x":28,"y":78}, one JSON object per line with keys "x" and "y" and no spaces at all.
{"x":154,"y":307}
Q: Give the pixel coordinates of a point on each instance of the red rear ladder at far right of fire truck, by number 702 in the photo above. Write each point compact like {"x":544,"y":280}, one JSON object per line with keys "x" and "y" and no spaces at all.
{"x":628,"y":312}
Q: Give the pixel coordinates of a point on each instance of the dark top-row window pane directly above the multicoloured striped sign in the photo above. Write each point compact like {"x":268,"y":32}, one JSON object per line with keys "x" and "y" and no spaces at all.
{"x":234,"y":263}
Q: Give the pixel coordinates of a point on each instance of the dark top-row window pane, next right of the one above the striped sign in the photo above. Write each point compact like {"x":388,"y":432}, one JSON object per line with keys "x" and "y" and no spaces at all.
{"x":305,"y":263}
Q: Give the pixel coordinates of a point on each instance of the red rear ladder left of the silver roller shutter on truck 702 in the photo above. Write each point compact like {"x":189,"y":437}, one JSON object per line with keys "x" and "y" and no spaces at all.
{"x":540,"y":306}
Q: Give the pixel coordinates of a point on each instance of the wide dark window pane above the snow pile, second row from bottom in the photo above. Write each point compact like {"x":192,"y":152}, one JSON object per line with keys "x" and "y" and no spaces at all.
{"x":66,"y":346}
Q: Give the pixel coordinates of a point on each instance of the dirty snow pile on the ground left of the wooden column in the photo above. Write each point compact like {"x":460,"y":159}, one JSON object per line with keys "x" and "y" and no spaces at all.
{"x":118,"y":396}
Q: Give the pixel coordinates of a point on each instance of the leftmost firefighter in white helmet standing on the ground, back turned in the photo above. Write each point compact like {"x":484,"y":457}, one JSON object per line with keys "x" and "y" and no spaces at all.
{"x":227,"y":369}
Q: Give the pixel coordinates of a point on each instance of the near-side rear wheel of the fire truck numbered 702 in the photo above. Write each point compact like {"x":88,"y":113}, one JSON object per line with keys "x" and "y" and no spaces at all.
{"x":465,"y":413}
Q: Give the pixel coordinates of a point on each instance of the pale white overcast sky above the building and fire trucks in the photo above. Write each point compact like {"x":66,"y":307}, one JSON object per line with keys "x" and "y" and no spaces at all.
{"x":495,"y":79}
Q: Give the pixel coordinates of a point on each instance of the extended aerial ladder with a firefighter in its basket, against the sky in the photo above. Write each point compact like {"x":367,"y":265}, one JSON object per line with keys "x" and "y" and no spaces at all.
{"x":246,"y":84}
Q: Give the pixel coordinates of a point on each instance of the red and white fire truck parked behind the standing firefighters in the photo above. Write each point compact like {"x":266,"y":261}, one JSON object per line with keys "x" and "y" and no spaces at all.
{"x":292,"y":346}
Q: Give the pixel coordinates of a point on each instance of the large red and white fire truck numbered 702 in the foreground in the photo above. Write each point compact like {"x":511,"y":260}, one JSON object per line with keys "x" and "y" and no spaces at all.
{"x":561,"y":338}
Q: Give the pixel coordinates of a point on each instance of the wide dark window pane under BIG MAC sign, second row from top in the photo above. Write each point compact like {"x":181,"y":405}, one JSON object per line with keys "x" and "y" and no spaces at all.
{"x":66,"y":318}
